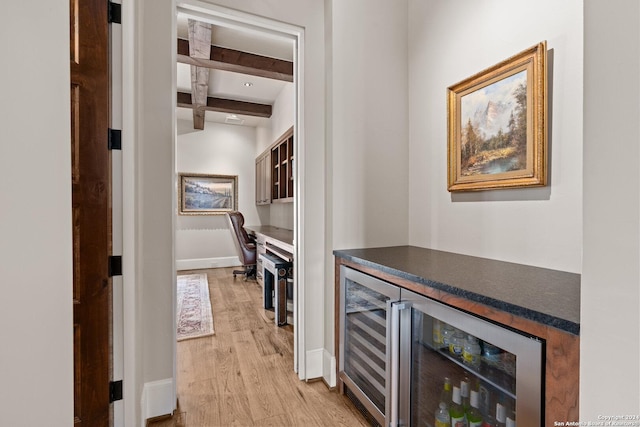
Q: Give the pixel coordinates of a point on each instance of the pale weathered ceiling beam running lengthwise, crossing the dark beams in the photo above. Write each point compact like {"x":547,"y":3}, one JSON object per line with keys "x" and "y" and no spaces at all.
{"x":199,"y":42}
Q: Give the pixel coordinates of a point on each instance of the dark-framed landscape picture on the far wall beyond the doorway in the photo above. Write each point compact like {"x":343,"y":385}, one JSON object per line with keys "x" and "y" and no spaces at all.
{"x":201,"y":194}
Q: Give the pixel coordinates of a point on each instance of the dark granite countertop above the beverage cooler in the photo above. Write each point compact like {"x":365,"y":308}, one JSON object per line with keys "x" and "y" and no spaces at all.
{"x":546,"y":296}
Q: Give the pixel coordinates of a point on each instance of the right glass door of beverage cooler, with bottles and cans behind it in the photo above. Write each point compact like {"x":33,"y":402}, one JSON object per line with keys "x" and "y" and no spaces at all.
{"x":453,"y":366}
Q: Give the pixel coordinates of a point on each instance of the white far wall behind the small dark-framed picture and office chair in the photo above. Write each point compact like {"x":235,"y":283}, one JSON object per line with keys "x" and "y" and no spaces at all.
{"x":219,"y":149}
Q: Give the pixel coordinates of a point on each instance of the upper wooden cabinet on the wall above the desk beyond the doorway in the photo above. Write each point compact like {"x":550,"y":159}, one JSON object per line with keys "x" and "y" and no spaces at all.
{"x":274,"y":172}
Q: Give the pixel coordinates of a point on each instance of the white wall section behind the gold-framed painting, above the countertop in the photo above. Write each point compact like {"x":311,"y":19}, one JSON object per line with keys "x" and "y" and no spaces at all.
{"x":450,"y":41}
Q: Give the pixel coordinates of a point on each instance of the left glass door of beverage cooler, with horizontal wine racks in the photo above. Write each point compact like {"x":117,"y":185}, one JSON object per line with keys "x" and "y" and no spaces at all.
{"x":365,"y":340}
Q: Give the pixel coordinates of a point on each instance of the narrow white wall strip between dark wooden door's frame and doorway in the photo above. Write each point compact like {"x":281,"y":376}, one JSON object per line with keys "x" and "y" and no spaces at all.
{"x":156,"y":199}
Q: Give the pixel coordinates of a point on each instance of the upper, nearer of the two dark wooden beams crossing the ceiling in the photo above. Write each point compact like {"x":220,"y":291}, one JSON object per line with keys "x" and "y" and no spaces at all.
{"x":238,"y":62}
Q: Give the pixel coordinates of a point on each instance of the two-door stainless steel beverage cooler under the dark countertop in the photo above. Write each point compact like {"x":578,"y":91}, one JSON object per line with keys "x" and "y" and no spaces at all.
{"x":408,"y":360}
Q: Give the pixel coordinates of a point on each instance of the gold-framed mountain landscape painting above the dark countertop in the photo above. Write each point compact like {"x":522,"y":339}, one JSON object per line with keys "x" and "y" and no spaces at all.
{"x":497,"y":125}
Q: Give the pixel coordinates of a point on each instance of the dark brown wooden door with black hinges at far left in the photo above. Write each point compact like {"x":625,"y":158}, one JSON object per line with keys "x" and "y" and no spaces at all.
{"x":90,"y":179}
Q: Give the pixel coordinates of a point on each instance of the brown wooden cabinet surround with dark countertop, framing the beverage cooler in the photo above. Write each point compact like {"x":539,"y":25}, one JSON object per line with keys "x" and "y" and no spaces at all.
{"x":542,"y":302}
